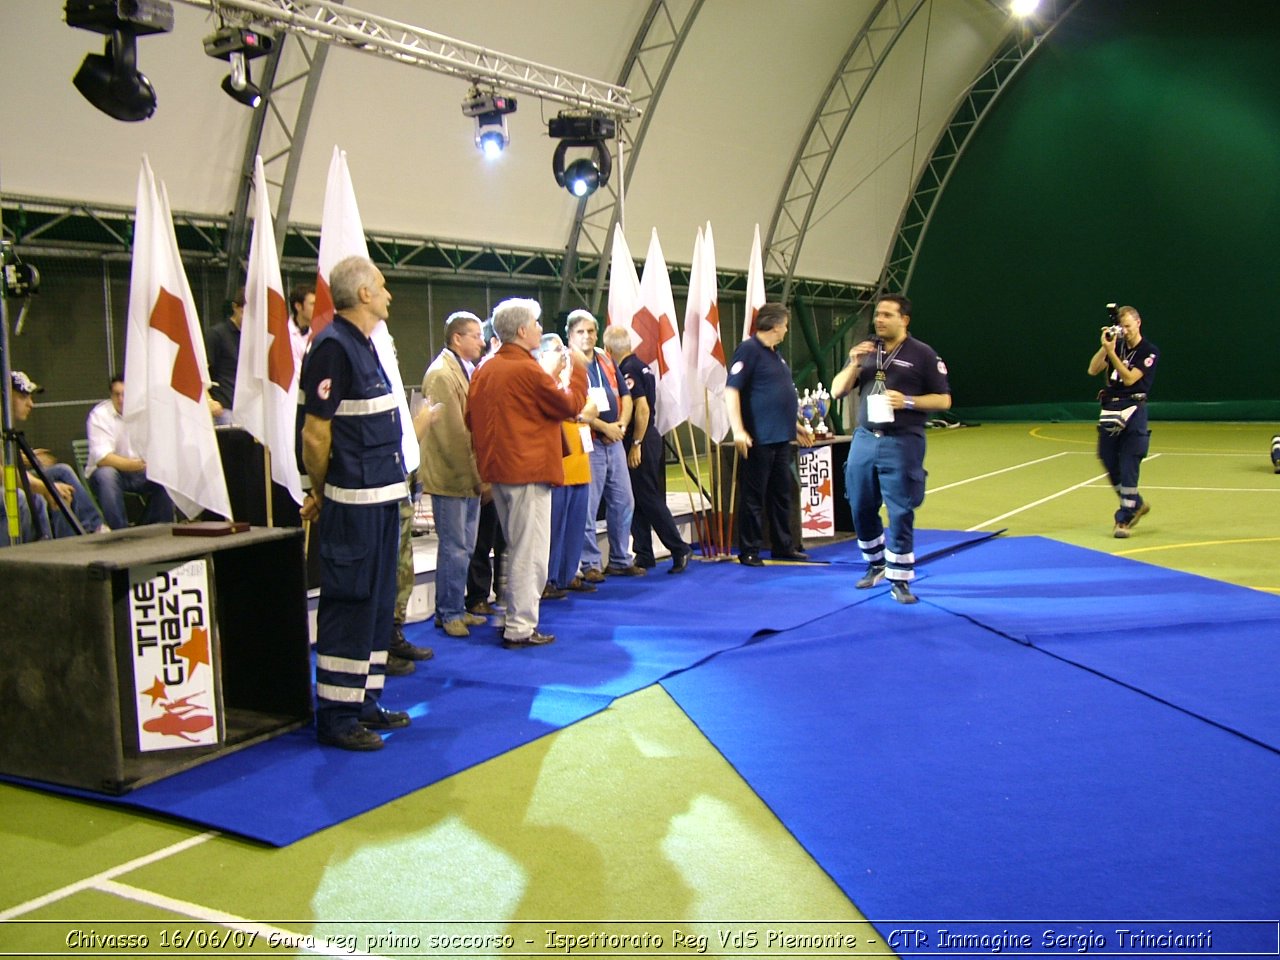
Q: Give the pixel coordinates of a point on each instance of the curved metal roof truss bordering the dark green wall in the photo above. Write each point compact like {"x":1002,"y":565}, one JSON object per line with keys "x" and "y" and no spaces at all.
{"x":970,"y":115}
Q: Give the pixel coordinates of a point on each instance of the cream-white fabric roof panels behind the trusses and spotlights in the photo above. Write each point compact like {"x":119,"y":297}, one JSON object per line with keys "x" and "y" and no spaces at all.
{"x":720,"y":144}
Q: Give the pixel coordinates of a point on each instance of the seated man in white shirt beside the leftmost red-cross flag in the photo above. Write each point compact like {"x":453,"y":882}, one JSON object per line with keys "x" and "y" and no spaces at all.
{"x":113,"y":469}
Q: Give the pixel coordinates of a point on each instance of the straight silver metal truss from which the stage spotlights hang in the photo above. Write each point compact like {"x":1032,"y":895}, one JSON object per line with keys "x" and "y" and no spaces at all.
{"x":337,"y":25}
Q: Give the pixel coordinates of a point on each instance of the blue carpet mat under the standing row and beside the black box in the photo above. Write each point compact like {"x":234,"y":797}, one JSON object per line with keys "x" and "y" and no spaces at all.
{"x":477,"y":701}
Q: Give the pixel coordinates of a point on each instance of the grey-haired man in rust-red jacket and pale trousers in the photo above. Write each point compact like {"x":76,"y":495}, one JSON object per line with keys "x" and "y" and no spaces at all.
{"x":515,"y":410}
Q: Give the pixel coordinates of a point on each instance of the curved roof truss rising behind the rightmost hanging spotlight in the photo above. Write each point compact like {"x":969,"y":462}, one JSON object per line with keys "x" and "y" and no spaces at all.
{"x":646,"y":71}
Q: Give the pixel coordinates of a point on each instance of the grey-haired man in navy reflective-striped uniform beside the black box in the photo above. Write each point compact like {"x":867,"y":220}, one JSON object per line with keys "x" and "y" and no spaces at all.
{"x":351,"y":449}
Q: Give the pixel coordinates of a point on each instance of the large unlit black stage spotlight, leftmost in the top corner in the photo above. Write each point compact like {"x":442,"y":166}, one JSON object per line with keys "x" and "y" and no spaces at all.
{"x":111,"y":81}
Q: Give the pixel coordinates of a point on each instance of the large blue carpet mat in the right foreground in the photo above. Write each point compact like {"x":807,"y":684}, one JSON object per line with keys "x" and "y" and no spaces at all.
{"x":939,"y":771}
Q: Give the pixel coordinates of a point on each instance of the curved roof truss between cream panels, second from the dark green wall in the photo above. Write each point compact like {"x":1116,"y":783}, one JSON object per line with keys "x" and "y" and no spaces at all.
{"x":870,"y":49}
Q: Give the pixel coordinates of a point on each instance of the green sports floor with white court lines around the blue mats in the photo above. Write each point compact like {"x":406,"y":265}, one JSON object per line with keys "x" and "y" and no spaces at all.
{"x":629,"y":816}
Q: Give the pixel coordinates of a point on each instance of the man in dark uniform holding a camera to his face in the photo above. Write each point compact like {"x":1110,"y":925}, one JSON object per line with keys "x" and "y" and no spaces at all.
{"x":1130,"y":363}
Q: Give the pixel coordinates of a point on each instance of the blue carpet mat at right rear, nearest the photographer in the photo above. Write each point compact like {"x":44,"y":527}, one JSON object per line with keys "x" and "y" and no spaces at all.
{"x":1206,"y":647}
